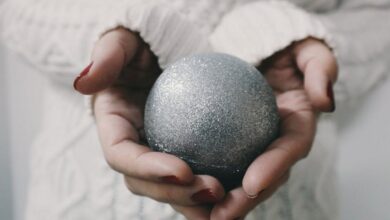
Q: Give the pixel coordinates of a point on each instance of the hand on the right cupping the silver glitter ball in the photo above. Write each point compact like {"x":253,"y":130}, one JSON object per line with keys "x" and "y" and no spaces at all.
{"x":301,"y":76}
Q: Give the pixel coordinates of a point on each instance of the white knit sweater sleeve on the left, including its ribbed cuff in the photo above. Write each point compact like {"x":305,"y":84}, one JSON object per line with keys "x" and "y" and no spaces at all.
{"x":57,"y":36}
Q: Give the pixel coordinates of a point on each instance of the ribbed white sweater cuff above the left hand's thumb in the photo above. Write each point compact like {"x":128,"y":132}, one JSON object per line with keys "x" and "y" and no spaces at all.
{"x":169,"y":34}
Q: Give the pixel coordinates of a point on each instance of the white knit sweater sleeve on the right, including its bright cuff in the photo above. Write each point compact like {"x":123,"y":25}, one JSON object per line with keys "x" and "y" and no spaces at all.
{"x":357,"y":30}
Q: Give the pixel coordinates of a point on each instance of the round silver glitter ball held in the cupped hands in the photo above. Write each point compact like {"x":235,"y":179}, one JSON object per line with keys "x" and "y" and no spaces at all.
{"x":215,"y":112}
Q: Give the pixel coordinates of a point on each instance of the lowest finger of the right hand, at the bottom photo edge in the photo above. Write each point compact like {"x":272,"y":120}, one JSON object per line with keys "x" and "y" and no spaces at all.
{"x":237,"y":204}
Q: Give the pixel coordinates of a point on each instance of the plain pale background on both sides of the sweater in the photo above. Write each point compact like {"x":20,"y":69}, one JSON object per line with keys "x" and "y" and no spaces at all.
{"x":364,"y":165}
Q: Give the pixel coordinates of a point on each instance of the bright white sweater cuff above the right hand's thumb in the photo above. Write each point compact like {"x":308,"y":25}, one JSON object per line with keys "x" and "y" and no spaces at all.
{"x":257,"y":30}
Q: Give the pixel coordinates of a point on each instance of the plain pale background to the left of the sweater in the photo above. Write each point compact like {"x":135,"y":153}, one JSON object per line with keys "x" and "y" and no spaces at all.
{"x":20,"y":88}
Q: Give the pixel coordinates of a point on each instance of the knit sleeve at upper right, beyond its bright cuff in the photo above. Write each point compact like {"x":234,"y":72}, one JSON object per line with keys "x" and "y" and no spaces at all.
{"x":361,"y":33}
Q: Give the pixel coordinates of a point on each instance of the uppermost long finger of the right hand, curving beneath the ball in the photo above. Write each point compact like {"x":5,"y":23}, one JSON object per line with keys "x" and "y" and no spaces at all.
{"x":297,"y":133}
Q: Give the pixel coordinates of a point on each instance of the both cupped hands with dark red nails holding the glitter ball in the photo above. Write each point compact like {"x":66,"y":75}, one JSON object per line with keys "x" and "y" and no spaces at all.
{"x":121,"y":75}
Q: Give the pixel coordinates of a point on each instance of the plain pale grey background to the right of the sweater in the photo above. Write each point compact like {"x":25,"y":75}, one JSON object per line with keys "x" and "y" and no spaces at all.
{"x":364,"y":157}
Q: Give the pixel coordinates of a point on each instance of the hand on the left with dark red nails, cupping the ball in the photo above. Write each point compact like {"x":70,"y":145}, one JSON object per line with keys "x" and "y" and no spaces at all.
{"x":121,"y":58}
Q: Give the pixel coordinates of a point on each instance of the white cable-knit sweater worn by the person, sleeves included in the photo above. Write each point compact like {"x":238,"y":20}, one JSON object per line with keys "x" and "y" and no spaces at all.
{"x":69,"y":177}
